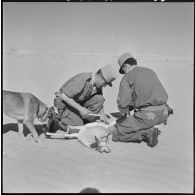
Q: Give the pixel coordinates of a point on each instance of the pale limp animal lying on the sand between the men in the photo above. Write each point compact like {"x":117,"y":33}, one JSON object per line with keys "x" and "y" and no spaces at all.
{"x":92,"y":135}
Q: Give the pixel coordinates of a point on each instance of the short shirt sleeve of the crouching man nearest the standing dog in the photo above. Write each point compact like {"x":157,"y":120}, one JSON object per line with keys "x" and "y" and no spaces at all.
{"x":74,"y":86}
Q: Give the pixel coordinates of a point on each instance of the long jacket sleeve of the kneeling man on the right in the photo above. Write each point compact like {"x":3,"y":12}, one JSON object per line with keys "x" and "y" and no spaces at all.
{"x":124,"y":100}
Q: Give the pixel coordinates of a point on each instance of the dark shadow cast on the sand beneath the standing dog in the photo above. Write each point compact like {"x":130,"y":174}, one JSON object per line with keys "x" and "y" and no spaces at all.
{"x":14,"y":127}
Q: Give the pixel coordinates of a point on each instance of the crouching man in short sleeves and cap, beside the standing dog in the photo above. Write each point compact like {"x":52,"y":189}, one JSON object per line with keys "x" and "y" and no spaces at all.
{"x":82,"y":95}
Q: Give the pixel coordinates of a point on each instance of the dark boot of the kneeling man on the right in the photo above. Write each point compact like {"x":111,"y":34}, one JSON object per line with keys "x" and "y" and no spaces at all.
{"x":150,"y":136}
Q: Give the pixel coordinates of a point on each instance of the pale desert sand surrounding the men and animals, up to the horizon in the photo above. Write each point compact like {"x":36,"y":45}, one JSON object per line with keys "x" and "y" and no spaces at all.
{"x":66,"y":166}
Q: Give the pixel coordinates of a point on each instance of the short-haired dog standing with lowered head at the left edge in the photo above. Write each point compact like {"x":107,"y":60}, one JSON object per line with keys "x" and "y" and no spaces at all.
{"x":25,"y":108}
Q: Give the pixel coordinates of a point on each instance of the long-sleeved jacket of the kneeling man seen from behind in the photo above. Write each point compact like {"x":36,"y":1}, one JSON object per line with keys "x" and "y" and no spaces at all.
{"x":140,"y":88}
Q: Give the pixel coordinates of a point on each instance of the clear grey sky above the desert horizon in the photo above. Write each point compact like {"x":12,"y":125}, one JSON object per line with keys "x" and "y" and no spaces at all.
{"x":164,"y":29}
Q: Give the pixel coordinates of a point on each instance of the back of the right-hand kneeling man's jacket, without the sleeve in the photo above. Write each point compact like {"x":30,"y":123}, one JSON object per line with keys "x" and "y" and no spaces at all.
{"x":146,"y":87}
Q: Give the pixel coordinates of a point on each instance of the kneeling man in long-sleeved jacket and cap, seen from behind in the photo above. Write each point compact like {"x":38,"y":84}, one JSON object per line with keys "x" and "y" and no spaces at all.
{"x":140,"y":90}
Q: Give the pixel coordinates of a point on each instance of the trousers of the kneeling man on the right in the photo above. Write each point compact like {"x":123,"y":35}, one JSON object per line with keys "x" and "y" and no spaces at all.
{"x":130,"y":128}
